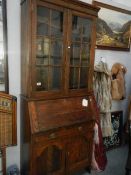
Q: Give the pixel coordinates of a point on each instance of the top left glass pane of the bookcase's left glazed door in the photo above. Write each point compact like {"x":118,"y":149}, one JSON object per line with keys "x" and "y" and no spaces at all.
{"x":43,"y":20}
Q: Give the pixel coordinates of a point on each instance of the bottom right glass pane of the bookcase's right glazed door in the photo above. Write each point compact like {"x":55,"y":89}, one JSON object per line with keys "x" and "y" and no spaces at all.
{"x":83,"y":77}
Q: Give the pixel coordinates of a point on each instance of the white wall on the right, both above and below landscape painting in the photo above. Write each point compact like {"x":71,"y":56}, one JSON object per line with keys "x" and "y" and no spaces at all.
{"x":112,"y":57}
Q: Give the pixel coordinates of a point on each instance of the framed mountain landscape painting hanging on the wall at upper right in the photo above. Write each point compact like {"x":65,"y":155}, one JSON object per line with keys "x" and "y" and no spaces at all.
{"x":113,"y":30}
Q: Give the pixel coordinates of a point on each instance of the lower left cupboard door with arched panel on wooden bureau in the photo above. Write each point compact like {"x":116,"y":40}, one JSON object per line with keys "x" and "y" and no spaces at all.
{"x":48,"y":160}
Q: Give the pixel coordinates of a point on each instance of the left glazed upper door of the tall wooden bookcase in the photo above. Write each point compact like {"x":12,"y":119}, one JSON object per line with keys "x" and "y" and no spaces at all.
{"x":48,"y":49}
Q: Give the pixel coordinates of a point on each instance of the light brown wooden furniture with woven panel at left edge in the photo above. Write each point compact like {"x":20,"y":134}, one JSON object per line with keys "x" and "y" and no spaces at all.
{"x":8,"y":125}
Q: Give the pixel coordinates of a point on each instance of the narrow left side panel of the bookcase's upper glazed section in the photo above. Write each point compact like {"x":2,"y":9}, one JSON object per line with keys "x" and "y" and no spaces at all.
{"x":25,"y":47}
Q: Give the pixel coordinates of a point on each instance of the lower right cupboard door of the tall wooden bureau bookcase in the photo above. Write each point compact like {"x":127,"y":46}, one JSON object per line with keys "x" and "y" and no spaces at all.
{"x":79,"y":151}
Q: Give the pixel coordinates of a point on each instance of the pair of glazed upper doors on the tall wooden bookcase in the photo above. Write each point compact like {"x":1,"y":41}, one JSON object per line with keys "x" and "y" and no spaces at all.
{"x":62,"y":51}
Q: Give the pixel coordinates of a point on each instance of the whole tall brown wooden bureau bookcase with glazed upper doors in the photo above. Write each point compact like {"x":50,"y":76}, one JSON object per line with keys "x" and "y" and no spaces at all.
{"x":57,"y":120}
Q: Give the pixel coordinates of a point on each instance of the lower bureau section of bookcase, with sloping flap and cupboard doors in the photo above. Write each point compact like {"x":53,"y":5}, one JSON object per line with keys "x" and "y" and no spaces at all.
{"x":60,"y":137}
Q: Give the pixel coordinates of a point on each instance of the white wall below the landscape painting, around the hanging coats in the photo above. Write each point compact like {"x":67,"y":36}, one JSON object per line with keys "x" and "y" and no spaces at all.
{"x":124,"y":58}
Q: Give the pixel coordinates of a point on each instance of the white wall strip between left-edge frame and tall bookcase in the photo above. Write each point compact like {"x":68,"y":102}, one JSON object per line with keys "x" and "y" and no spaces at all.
{"x":13,"y":22}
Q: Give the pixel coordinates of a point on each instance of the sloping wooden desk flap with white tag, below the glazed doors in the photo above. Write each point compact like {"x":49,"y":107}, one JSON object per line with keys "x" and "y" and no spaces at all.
{"x":46,"y":115}
